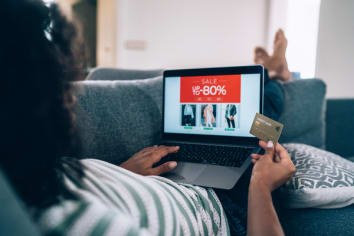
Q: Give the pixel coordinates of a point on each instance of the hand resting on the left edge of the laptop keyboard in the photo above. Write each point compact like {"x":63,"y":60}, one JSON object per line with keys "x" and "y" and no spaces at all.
{"x":143,"y":161}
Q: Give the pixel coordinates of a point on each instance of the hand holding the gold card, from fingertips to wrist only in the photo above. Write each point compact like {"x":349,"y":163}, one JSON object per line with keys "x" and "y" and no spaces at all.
{"x":272,"y":169}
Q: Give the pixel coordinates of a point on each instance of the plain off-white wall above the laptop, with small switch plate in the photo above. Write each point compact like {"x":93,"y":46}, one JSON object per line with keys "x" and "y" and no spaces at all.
{"x":189,"y":33}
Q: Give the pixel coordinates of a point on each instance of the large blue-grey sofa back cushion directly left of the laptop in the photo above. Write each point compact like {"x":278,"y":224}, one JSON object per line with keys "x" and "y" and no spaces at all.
{"x":115,"y":119}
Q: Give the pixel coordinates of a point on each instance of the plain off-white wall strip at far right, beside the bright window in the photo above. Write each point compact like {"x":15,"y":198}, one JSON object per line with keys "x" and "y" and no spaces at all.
{"x":335,"y":52}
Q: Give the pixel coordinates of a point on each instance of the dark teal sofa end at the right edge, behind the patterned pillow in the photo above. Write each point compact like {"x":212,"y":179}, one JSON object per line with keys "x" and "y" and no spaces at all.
{"x":340,"y":126}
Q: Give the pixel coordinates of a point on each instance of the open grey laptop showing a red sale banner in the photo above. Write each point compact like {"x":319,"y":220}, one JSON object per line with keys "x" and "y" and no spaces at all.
{"x":208,"y":113}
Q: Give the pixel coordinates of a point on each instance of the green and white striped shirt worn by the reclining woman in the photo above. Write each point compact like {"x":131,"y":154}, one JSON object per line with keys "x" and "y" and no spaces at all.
{"x":115,"y":201}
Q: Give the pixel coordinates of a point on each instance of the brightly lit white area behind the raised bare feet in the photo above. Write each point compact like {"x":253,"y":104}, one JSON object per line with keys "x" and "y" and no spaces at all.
{"x":299,"y":19}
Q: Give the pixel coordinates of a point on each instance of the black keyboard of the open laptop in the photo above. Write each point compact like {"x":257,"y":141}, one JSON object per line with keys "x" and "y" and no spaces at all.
{"x":208,"y":154}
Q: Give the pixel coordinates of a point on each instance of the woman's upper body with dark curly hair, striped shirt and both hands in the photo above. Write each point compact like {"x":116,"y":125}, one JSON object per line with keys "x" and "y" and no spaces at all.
{"x":90,"y":197}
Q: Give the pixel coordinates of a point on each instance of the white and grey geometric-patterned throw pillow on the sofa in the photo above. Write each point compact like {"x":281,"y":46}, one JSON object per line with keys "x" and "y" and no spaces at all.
{"x":322,"y":179}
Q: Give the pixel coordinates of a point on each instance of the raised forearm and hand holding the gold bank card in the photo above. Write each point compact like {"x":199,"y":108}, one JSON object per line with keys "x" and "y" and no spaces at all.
{"x":270,"y":171}
